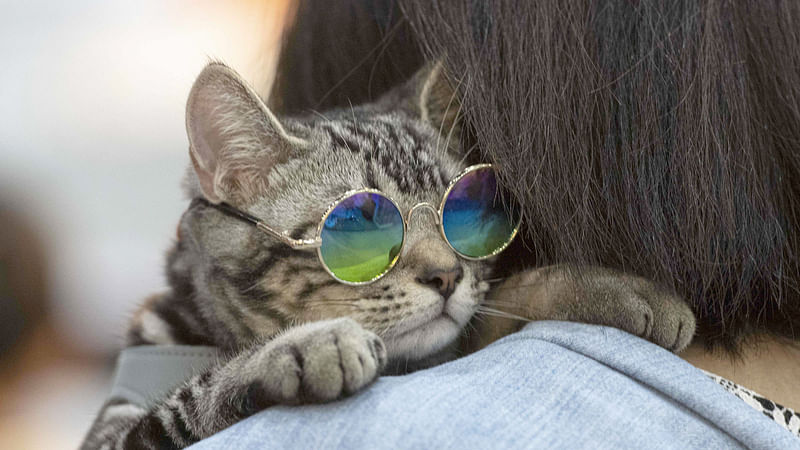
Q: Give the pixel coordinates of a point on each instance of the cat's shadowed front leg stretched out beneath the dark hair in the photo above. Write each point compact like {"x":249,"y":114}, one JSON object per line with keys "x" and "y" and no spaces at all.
{"x":591,"y":295}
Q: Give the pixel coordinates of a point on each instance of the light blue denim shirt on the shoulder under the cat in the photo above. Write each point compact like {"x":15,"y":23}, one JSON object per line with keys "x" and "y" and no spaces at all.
{"x":551,"y":385}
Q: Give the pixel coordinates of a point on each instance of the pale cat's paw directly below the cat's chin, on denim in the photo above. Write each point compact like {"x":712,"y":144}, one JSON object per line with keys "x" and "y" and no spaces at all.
{"x":317,"y":362}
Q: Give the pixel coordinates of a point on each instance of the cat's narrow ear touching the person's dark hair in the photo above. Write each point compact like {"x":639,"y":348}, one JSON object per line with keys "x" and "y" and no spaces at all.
{"x":436,"y":100}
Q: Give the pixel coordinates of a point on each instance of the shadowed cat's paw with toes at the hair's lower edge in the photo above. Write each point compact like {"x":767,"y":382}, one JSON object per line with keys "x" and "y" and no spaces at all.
{"x":643,"y":308}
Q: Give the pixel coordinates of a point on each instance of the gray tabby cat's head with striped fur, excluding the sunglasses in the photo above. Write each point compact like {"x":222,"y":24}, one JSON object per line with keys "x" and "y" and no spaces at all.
{"x":287,"y":171}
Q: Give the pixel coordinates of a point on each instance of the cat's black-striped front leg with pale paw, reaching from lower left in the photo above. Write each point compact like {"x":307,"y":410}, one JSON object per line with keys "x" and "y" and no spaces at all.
{"x":312,"y":363}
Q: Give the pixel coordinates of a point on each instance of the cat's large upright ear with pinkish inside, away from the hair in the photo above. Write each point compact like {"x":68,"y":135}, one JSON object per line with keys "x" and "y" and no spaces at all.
{"x":234,"y":139}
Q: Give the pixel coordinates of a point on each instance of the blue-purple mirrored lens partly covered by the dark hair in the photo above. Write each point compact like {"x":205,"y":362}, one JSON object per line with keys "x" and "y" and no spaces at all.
{"x":476,"y":221}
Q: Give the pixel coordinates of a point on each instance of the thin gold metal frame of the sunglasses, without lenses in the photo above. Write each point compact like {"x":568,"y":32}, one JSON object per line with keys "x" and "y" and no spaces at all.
{"x":316,"y":242}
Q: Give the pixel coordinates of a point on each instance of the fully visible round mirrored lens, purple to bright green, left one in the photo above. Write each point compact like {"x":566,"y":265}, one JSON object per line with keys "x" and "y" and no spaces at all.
{"x":362,"y":237}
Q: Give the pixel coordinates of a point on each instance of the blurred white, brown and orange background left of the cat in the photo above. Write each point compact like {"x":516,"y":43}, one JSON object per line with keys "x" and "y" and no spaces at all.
{"x":92,"y":152}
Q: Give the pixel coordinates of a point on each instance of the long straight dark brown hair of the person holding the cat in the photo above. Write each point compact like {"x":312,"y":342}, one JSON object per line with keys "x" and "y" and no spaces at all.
{"x":661,"y":138}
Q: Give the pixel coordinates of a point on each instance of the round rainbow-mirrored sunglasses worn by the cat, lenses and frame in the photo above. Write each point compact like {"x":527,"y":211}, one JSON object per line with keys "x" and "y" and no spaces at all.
{"x":362,"y":233}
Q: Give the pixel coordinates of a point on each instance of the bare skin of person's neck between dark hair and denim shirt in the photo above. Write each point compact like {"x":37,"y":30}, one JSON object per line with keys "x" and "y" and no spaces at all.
{"x":767,"y":365}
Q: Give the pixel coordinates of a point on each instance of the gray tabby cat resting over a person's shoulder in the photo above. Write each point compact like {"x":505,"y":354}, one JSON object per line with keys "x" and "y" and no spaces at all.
{"x":291,"y":332}
